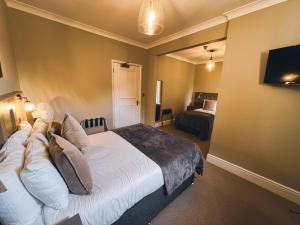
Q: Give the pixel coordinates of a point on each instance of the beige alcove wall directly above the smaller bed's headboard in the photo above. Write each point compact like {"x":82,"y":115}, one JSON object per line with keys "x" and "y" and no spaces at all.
{"x":206,"y":81}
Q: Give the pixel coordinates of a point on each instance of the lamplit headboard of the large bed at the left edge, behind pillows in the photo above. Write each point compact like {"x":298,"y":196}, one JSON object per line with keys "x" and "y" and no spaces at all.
{"x":8,"y":117}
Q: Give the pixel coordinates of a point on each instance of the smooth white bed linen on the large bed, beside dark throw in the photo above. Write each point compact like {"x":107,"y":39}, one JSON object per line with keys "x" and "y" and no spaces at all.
{"x":122,"y":176}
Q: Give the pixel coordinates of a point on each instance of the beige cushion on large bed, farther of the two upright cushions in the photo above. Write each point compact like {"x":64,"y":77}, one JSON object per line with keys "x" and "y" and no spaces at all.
{"x":74,"y":133}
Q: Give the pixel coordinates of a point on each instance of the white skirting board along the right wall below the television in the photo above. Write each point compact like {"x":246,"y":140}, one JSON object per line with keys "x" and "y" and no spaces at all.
{"x":270,"y":185}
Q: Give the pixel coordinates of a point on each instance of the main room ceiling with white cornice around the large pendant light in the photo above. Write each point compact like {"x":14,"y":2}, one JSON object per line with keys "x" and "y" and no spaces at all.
{"x":117,"y":19}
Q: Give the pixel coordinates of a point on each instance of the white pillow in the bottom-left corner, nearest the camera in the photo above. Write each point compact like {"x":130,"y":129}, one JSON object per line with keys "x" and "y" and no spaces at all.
{"x":17,"y":206}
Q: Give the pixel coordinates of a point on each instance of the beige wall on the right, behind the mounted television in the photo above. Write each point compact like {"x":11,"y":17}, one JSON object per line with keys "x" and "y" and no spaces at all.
{"x":257,"y":126}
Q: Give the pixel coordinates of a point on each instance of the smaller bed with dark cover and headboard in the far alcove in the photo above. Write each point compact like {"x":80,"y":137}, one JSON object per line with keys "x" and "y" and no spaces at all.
{"x":197,"y":120}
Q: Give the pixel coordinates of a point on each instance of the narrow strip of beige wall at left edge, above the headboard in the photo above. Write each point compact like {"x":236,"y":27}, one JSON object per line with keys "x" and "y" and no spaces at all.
{"x":9,"y":82}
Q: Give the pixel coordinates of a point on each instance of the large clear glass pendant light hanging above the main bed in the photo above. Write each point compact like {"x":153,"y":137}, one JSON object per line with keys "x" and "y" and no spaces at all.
{"x":151,"y":18}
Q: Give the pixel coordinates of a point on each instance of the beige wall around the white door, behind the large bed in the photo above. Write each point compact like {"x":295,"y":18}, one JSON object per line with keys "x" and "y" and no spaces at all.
{"x":67,"y":67}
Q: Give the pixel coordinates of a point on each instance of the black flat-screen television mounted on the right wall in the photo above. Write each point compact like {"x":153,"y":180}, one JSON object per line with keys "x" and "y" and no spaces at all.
{"x":283,"y":66}
